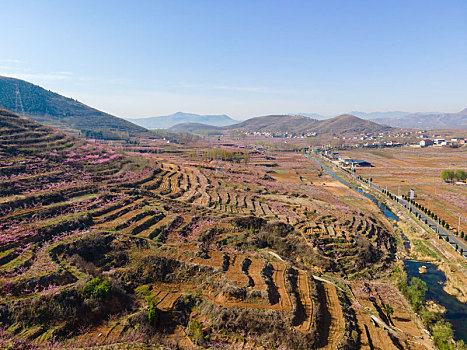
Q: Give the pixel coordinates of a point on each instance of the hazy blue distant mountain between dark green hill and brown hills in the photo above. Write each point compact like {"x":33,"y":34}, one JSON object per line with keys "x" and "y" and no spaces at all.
{"x":165,"y":122}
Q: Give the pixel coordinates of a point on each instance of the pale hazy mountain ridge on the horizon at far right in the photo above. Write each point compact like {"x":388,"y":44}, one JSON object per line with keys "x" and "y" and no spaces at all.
{"x":429,"y":121}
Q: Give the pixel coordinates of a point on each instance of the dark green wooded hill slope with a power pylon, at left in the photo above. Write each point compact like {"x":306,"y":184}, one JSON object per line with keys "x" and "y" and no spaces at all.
{"x":65,"y":113}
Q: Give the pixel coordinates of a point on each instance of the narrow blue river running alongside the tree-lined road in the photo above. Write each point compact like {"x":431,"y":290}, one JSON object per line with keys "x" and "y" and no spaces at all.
{"x":456,"y":312}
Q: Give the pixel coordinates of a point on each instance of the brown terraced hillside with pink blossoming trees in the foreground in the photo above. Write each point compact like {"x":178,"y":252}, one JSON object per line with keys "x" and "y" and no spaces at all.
{"x":99,"y":247}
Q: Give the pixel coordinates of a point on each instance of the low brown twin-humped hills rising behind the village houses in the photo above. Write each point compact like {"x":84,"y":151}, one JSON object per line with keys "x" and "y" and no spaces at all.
{"x":344,"y":124}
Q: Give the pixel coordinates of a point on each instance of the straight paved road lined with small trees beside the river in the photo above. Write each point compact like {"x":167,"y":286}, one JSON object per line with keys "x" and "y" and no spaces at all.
{"x":453,"y":239}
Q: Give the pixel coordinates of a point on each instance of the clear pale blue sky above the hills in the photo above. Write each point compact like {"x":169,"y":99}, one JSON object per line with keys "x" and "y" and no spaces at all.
{"x":242,"y":58}
